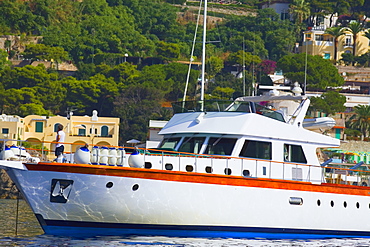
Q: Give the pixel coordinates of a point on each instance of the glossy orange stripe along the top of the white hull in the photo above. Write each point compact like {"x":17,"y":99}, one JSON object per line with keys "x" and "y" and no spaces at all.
{"x":202,"y":178}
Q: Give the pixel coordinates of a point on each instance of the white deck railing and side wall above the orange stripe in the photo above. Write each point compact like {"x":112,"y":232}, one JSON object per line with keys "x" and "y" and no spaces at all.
{"x":162,"y":159}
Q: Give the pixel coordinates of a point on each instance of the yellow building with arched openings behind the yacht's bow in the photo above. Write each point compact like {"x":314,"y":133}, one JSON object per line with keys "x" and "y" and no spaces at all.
{"x":80,"y":130}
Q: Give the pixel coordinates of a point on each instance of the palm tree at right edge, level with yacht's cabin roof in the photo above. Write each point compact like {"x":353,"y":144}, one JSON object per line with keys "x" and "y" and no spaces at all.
{"x":361,"y":119}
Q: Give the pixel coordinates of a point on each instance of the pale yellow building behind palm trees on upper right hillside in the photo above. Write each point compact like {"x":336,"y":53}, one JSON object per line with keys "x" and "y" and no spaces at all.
{"x":317,"y":42}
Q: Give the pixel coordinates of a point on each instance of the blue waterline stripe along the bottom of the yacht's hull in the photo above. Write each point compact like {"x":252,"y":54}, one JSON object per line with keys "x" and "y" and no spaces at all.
{"x":98,"y":228}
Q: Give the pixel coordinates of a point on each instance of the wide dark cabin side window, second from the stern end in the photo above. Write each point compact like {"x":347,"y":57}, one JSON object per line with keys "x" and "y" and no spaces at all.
{"x":256,"y":149}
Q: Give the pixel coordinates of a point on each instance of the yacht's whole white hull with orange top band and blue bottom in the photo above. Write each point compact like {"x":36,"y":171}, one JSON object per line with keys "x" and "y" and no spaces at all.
{"x":70,"y":199}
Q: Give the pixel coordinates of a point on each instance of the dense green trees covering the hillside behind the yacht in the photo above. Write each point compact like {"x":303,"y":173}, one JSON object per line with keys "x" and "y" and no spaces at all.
{"x":126,"y":53}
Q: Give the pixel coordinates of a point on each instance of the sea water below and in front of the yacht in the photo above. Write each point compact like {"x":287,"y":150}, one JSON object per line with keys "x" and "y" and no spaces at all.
{"x":24,"y":230}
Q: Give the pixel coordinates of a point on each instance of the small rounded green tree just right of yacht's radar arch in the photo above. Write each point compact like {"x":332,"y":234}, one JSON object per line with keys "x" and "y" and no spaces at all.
{"x":329,"y":102}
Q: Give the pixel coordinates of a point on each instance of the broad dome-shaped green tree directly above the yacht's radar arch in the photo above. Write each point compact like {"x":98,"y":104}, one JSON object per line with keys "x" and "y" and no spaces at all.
{"x":321,"y":73}
